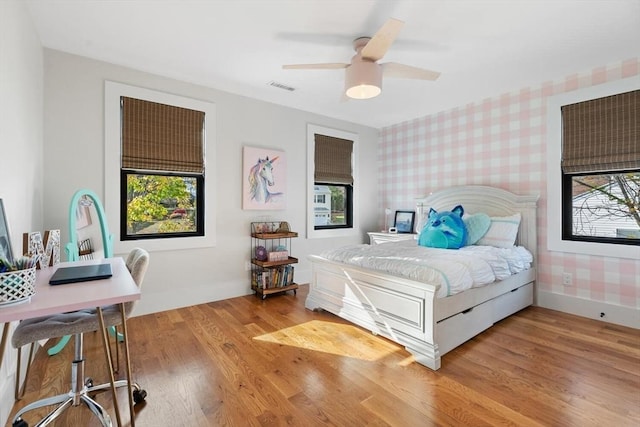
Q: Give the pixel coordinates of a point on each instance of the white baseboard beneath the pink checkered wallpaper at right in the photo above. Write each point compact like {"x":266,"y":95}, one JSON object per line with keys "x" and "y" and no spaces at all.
{"x":606,"y":312}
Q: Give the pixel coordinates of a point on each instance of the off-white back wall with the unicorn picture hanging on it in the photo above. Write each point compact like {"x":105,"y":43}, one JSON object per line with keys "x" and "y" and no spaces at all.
{"x":74,"y":151}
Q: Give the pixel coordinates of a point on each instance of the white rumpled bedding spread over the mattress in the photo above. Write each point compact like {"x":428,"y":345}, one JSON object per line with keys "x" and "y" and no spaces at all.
{"x":452,"y":271}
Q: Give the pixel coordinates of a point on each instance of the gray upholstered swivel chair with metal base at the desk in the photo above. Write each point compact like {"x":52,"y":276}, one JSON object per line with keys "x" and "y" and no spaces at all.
{"x":76,"y":323}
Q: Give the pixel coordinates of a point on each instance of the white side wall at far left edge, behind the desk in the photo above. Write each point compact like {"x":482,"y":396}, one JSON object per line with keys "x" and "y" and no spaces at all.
{"x":20,"y":145}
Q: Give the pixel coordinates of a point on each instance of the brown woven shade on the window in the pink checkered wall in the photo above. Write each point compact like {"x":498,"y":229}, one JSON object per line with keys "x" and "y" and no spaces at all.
{"x":602,"y":134}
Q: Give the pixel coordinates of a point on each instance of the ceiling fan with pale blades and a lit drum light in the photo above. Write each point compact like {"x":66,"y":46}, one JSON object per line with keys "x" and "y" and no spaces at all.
{"x":363,"y":76}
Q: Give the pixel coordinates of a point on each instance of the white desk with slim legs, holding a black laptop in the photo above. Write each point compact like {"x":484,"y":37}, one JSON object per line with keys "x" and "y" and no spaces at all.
{"x":48,"y":300}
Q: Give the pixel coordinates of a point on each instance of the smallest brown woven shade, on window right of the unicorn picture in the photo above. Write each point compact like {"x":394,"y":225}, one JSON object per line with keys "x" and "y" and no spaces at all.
{"x":333,"y":160}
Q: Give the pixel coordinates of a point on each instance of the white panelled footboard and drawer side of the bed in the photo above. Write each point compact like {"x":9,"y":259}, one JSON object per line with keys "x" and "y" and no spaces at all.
{"x":408,"y":313}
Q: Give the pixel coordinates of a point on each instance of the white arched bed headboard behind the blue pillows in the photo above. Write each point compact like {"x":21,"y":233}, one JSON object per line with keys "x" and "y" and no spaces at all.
{"x":492,"y":201}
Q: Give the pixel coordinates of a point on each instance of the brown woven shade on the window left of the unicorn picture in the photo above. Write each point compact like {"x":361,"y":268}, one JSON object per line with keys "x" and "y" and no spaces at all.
{"x":159,"y":137}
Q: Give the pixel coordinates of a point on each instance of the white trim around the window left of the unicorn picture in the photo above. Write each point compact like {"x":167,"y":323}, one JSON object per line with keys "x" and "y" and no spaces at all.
{"x":112,"y":200}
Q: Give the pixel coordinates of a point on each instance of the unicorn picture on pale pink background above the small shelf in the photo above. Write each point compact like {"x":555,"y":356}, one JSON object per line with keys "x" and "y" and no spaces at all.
{"x":264,"y":179}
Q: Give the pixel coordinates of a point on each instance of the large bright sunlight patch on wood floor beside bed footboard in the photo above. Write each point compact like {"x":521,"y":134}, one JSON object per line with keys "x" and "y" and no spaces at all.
{"x":333,"y":338}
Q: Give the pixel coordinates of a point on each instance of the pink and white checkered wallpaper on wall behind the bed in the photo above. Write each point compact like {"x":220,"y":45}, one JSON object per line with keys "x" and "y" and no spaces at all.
{"x":501,"y":142}
